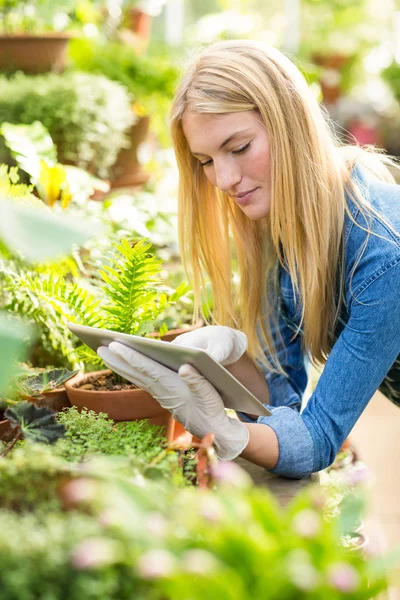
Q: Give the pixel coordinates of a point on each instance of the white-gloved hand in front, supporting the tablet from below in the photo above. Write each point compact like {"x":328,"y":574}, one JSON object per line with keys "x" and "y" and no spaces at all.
{"x":191,"y":399}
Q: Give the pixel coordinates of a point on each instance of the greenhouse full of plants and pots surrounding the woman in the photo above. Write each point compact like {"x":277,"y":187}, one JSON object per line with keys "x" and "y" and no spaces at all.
{"x":103,"y":495}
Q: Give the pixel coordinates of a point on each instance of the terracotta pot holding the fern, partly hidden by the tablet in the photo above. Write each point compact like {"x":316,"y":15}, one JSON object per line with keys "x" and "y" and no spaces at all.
{"x":122,"y":405}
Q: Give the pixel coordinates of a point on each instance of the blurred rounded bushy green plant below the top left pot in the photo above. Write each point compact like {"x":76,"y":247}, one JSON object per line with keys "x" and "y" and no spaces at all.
{"x":86,"y":115}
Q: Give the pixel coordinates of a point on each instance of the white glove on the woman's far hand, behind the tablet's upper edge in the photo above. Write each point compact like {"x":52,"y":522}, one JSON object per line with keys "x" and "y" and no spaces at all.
{"x":224,"y":344}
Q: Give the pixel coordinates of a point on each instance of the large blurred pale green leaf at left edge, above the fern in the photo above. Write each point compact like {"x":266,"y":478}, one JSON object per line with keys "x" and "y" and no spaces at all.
{"x":38,"y":234}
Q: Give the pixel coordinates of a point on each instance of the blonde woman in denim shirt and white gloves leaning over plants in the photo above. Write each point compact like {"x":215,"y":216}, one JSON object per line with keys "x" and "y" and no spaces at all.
{"x":316,"y":236}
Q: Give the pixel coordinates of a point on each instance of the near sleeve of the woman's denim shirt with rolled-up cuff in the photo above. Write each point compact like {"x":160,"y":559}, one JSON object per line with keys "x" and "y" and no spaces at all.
{"x":363,"y":354}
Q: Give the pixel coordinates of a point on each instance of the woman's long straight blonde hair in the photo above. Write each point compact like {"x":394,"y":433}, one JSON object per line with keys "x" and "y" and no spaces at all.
{"x":309,"y":172}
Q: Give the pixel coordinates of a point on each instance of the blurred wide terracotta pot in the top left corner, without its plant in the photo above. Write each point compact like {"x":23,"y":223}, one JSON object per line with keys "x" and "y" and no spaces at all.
{"x":34,"y":53}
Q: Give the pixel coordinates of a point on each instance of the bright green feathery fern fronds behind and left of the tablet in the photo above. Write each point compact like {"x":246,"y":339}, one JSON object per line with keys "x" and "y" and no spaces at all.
{"x":129,"y":300}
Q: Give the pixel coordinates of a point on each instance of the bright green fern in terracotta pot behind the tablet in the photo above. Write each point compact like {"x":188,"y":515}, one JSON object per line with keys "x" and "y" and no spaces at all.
{"x":129,"y":303}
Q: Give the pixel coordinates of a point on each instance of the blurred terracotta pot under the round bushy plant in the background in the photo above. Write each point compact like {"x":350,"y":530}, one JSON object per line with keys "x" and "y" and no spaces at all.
{"x":127,"y":171}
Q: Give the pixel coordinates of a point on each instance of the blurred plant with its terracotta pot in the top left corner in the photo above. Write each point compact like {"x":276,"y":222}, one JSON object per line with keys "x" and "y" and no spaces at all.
{"x":32,"y":36}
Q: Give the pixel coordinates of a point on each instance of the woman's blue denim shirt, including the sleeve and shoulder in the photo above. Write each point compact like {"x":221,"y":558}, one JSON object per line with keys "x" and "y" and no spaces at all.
{"x":363,"y":354}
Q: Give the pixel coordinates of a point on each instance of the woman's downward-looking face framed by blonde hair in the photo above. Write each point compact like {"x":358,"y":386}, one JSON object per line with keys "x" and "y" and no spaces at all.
{"x":233,"y":150}
